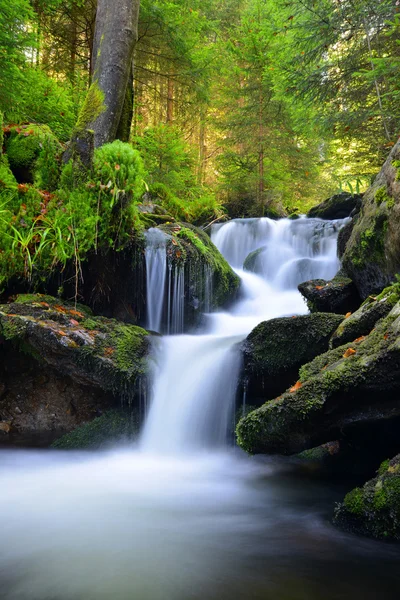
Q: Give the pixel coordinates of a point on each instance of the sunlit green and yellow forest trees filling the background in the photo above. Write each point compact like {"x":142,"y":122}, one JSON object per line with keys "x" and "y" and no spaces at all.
{"x":247,"y":106}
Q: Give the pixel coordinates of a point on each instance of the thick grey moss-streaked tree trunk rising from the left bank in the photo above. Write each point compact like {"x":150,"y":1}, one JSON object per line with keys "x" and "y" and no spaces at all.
{"x":114,"y":42}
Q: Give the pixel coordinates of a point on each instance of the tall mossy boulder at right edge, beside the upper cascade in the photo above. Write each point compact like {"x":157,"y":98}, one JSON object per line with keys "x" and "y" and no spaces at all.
{"x":372,"y":255}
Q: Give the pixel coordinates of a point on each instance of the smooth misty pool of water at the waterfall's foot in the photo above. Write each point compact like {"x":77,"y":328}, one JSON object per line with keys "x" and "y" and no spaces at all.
{"x":125,"y":525}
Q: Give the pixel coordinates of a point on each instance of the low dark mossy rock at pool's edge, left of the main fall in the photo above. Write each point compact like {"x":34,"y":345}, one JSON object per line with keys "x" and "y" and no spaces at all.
{"x":114,"y":426}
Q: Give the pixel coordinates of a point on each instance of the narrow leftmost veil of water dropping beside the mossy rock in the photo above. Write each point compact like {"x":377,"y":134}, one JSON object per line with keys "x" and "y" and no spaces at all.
{"x":156,"y":277}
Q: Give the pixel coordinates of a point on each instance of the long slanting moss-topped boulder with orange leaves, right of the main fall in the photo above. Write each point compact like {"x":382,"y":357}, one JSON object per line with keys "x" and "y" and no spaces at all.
{"x":340,"y":391}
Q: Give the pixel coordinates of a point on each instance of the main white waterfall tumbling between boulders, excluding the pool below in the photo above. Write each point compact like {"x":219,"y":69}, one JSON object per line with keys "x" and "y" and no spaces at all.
{"x":196,"y":377}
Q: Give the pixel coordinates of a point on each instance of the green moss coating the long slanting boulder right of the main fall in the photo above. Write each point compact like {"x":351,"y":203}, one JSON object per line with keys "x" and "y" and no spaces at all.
{"x":286,"y":424}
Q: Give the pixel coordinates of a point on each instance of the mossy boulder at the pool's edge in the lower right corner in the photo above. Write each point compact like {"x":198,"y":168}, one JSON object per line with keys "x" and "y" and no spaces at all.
{"x":374,"y":510}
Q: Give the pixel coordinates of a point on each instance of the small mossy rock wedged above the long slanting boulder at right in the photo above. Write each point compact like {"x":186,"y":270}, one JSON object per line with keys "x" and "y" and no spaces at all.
{"x":362,"y":321}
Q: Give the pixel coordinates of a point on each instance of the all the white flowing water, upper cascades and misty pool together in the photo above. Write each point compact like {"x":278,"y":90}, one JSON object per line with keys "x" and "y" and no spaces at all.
{"x":182,"y":516}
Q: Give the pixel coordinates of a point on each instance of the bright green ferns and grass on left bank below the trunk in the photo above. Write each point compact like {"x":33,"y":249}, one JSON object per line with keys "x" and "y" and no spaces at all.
{"x":40,"y":230}
